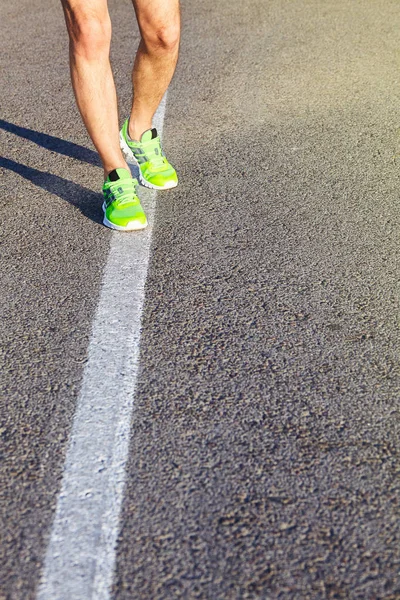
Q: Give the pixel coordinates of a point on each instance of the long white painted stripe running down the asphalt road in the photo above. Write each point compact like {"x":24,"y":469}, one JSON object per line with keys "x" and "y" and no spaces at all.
{"x":80,"y":558}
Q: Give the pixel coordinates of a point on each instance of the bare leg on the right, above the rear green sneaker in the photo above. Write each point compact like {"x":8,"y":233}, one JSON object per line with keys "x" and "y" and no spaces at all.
{"x":156,"y":58}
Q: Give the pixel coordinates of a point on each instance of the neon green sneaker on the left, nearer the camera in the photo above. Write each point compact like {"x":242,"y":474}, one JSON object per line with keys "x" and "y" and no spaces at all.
{"x":122,"y":209}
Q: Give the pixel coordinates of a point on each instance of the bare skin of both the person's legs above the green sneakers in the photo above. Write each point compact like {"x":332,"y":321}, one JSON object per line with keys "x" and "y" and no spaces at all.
{"x":89,"y":28}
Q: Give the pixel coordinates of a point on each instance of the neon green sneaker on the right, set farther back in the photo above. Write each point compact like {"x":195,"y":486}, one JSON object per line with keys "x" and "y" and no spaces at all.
{"x":154,"y":169}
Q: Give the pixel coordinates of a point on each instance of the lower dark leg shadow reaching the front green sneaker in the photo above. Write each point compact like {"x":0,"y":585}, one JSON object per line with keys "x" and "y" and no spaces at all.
{"x":87,"y":201}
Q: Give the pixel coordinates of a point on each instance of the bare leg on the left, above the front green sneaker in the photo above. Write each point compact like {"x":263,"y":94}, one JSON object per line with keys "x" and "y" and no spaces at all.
{"x":89,"y":29}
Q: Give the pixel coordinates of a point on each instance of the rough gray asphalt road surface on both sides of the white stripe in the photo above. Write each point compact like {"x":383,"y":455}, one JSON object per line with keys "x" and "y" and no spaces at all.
{"x":264,"y":454}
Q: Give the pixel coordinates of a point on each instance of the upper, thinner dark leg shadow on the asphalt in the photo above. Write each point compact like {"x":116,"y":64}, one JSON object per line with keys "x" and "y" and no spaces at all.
{"x":53,"y":143}
